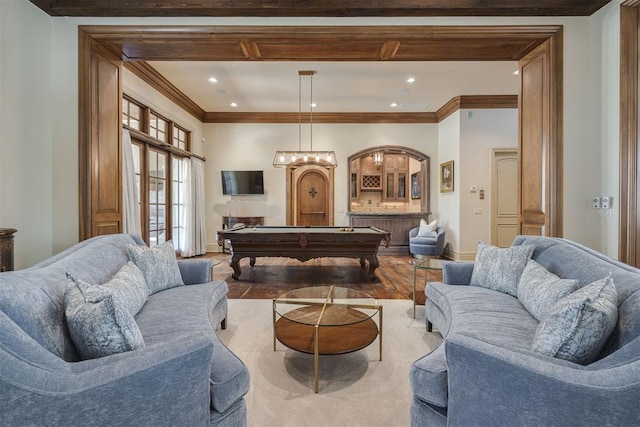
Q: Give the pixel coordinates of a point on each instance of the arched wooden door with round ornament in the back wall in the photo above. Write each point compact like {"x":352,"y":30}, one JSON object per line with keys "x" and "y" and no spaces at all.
{"x":312,"y":198}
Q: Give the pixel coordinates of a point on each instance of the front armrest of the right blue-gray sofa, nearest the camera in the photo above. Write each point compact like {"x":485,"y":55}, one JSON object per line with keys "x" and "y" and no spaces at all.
{"x":491,"y":385}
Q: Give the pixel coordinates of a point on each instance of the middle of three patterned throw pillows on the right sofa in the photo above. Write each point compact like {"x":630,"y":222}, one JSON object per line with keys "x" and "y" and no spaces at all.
{"x":539,"y":290}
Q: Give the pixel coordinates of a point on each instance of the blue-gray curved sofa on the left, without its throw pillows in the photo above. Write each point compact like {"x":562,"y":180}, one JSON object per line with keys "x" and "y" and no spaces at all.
{"x":183,"y":376}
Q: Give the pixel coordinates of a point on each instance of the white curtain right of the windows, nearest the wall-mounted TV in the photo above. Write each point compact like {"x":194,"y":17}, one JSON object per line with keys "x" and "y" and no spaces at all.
{"x":193,"y":241}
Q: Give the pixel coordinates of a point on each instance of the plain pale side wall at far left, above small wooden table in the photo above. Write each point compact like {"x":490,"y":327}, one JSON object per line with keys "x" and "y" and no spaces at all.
{"x":26,"y":147}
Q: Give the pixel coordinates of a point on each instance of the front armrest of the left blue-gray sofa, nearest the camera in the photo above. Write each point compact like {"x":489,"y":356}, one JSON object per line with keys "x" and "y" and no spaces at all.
{"x":163,"y":384}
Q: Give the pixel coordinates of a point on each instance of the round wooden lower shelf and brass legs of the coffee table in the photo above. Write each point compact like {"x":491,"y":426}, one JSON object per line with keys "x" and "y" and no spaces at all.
{"x":326,"y":340}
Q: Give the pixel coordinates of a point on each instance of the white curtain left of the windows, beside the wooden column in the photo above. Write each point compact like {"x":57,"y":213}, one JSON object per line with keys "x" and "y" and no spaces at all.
{"x":130,"y":206}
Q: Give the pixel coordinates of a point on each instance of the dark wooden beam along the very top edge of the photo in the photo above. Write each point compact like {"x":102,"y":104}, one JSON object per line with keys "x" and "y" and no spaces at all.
{"x":338,"y":8}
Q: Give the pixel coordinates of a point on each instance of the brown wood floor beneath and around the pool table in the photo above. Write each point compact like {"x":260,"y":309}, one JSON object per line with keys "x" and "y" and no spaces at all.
{"x":272,"y":276}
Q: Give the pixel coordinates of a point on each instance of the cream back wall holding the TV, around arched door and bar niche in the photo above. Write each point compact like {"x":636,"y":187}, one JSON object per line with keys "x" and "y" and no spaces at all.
{"x":252,"y":147}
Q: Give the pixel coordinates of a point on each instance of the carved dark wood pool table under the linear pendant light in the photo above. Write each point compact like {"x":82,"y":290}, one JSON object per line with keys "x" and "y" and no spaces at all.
{"x":304,"y":243}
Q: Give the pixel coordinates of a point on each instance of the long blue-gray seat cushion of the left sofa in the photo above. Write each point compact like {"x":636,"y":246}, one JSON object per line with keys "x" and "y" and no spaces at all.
{"x":197,"y":309}
